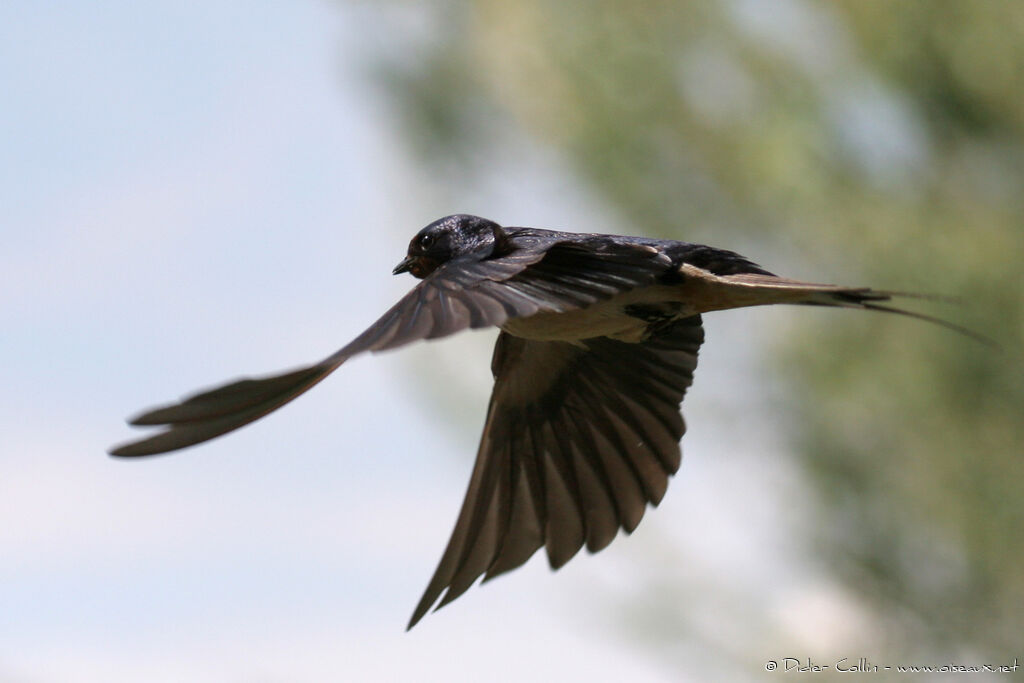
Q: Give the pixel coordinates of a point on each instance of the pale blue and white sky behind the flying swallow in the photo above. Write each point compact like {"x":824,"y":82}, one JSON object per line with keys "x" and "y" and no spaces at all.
{"x":196,"y":192}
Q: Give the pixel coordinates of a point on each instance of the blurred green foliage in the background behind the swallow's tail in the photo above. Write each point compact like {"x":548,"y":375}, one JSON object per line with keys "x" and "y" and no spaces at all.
{"x":880,"y":142}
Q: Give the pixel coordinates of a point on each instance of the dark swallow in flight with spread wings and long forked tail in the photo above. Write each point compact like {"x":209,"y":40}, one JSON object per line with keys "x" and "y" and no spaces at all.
{"x":599,"y":344}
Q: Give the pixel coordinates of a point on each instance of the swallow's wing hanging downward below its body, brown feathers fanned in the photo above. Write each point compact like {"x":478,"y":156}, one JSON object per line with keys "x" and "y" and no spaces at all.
{"x":579,"y":440}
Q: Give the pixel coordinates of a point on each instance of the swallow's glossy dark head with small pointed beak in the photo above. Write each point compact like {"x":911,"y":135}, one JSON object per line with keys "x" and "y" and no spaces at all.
{"x":450,"y":238}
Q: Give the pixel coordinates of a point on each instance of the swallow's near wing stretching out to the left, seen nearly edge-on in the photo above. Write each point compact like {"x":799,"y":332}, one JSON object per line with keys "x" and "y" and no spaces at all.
{"x":547,"y":277}
